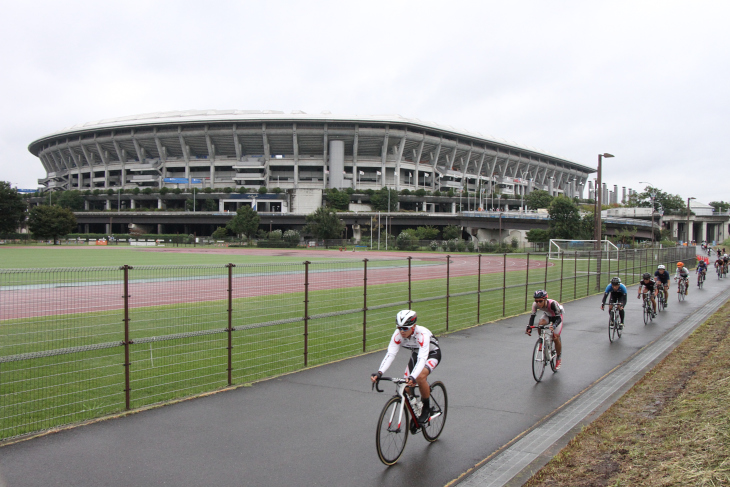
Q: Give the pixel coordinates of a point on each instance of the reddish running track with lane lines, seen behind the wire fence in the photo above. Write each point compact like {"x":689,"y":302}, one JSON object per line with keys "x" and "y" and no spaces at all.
{"x":28,"y":302}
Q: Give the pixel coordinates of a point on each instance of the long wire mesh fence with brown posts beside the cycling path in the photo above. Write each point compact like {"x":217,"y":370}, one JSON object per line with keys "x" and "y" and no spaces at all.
{"x":76,"y":344}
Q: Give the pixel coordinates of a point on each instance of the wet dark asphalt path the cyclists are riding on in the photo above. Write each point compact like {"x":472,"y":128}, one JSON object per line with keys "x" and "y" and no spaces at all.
{"x":317,"y":427}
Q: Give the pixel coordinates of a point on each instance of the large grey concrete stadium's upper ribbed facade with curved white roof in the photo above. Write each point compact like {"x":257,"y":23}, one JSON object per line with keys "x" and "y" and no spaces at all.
{"x":300,"y":153}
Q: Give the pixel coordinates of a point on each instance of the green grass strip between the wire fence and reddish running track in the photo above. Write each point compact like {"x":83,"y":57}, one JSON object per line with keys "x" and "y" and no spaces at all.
{"x":53,"y":390}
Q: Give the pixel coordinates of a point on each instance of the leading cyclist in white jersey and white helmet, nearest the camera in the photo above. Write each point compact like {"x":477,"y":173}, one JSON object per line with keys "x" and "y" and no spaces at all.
{"x":425,"y":356}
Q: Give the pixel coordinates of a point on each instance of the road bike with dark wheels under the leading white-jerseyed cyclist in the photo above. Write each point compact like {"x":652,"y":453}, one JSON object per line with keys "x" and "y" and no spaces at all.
{"x":400,"y":416}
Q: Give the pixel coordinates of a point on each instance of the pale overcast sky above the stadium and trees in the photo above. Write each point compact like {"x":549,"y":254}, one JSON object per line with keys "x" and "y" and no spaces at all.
{"x":645,"y":81}
